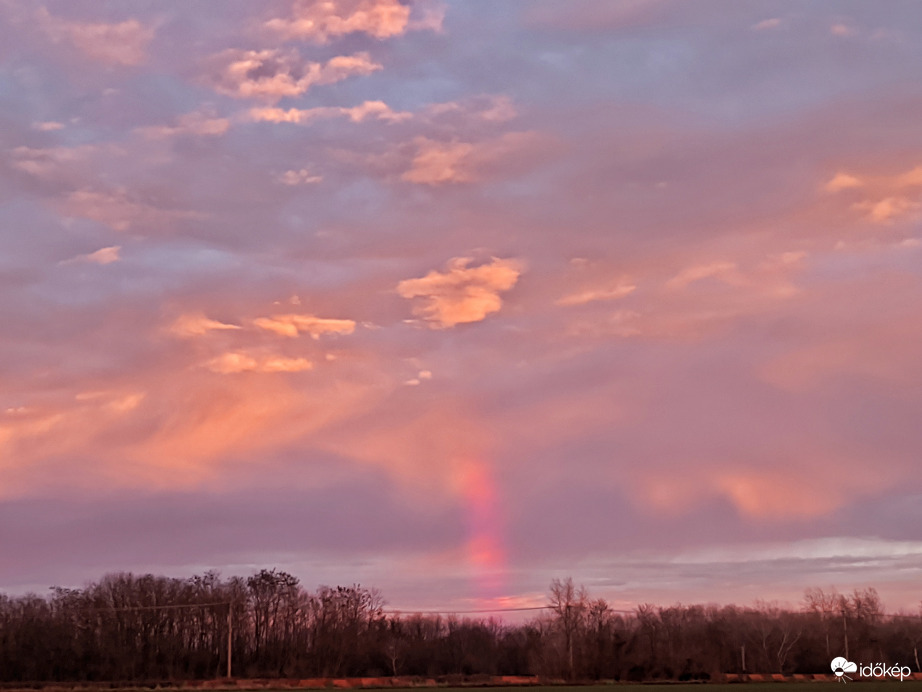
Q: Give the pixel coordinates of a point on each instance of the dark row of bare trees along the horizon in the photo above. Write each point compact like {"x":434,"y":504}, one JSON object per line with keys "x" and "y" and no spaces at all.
{"x":152,"y":628}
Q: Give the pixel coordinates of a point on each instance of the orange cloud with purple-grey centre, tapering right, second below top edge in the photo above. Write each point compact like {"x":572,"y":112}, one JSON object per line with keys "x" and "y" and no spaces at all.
{"x":271,"y":75}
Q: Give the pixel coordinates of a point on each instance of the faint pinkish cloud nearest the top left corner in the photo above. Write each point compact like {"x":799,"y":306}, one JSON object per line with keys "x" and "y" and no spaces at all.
{"x":124,"y":43}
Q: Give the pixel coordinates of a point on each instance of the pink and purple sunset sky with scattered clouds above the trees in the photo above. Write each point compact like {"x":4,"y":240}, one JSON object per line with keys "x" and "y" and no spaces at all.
{"x":452,"y":298}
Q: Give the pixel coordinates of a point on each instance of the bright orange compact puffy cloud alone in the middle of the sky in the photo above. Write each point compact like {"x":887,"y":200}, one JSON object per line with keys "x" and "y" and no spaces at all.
{"x":462,"y":293}
